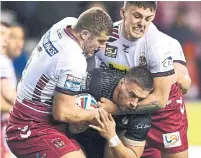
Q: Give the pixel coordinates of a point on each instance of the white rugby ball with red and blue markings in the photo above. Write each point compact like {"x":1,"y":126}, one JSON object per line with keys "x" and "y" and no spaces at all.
{"x":86,"y":101}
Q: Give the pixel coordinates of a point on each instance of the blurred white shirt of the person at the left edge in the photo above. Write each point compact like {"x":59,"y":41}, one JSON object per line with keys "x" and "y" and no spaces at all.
{"x":7,"y":70}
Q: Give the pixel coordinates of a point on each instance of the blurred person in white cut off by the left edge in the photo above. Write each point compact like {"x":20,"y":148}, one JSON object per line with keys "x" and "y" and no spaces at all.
{"x":8,"y":86}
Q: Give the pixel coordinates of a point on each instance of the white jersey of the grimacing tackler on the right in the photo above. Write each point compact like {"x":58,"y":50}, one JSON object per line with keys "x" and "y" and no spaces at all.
{"x":152,"y":50}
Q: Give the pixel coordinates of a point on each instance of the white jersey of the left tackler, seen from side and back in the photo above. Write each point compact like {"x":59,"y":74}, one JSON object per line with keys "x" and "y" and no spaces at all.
{"x":57,"y":62}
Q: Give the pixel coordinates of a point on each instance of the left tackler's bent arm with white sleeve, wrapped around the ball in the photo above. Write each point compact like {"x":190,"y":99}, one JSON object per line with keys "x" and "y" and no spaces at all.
{"x":70,"y":76}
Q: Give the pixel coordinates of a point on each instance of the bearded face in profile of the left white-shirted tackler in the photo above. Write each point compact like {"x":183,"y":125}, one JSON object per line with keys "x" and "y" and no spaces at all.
{"x":95,"y":43}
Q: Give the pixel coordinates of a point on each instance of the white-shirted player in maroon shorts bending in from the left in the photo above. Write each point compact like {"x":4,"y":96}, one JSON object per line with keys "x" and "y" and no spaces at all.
{"x":46,"y":93}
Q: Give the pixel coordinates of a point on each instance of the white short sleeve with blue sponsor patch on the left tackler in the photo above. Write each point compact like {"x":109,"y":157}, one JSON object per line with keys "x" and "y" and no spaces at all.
{"x":71,"y":70}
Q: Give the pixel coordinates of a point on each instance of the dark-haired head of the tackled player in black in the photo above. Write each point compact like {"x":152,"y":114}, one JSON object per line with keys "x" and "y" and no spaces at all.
{"x":135,"y":86}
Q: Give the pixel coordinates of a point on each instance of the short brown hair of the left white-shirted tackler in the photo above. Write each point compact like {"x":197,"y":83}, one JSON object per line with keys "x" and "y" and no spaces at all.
{"x":95,"y":20}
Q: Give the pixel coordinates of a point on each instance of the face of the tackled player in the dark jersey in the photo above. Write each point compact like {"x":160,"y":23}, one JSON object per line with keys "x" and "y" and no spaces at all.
{"x":130,"y":94}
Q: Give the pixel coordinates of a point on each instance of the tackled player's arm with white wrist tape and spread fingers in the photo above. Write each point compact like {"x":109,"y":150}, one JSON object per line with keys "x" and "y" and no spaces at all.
{"x":123,"y":145}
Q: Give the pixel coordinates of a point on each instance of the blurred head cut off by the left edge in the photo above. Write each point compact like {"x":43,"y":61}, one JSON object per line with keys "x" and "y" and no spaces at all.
{"x":5,"y":31}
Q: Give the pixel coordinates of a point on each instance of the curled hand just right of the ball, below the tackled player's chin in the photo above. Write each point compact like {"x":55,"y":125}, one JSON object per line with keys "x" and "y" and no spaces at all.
{"x":108,"y":105}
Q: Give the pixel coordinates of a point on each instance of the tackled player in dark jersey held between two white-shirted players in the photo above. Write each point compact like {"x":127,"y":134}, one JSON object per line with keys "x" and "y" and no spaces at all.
{"x":124,"y":90}
